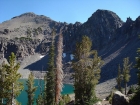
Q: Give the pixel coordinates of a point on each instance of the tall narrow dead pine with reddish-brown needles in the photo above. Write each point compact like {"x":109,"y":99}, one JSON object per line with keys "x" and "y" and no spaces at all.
{"x":59,"y":71}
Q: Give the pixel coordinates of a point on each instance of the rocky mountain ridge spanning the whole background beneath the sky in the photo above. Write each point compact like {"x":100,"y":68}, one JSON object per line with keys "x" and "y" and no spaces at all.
{"x":28,"y":34}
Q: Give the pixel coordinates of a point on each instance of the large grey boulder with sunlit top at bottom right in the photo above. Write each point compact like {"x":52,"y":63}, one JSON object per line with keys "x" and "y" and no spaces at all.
{"x":119,"y":99}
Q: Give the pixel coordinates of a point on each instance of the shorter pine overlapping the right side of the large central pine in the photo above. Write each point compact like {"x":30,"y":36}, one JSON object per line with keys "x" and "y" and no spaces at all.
{"x":93,"y":76}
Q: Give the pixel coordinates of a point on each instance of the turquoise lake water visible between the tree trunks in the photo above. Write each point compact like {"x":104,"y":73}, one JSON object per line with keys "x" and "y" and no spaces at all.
{"x":67,"y":89}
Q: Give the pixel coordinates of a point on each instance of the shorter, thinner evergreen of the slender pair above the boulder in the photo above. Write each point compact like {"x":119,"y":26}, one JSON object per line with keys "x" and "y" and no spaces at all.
{"x":119,"y":79}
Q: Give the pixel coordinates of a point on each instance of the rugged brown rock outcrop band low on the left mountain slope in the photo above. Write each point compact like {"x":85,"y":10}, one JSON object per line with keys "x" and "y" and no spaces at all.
{"x":22,"y":47}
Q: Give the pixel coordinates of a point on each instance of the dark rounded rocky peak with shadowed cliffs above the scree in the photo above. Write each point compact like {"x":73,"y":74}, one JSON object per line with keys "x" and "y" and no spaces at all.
{"x":100,"y":27}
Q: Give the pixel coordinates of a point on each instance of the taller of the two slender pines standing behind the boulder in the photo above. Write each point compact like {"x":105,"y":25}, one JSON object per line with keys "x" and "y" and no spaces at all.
{"x":126,"y":72}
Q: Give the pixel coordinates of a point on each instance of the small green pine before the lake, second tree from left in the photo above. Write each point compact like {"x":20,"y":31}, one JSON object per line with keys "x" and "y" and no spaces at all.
{"x":31,"y":89}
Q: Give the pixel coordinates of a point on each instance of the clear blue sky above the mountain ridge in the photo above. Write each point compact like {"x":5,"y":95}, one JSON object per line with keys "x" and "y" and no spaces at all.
{"x":68,"y":11}
